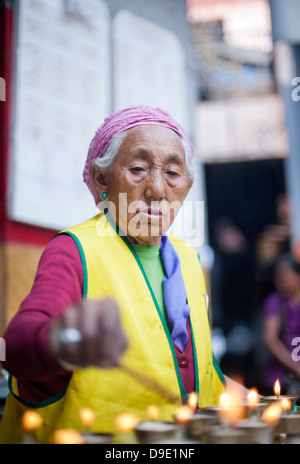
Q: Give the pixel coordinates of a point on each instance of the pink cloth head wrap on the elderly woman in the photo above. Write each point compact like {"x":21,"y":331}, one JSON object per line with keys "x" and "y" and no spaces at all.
{"x":121,"y":121}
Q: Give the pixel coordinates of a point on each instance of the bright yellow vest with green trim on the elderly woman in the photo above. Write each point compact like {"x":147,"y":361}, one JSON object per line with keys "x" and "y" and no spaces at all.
{"x":112,"y":268}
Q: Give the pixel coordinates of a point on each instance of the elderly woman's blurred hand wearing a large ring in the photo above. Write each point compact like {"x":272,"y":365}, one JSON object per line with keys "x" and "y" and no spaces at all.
{"x":88,"y":334}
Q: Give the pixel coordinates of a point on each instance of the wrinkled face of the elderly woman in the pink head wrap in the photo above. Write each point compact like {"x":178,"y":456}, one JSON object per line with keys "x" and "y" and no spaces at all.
{"x":147,"y":183}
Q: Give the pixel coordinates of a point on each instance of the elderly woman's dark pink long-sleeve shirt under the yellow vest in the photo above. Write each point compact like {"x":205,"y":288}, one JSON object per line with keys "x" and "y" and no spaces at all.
{"x":58,"y":284}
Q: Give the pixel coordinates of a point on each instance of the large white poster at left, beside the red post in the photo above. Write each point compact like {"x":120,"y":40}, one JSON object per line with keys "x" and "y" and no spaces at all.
{"x":62,"y":96}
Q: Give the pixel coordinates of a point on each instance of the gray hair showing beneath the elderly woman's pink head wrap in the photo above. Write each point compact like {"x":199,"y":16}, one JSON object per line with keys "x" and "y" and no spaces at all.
{"x":106,"y":161}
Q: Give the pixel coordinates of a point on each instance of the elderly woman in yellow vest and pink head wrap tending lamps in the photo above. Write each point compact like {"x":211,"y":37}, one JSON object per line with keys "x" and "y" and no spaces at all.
{"x":116,"y":295}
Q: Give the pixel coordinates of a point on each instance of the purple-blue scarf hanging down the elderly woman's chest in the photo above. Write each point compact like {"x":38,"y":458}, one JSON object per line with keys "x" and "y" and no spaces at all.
{"x":174,"y":292}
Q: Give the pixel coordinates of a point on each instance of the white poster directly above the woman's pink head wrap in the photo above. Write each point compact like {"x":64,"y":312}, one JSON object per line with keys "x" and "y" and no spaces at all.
{"x":149,"y":67}
